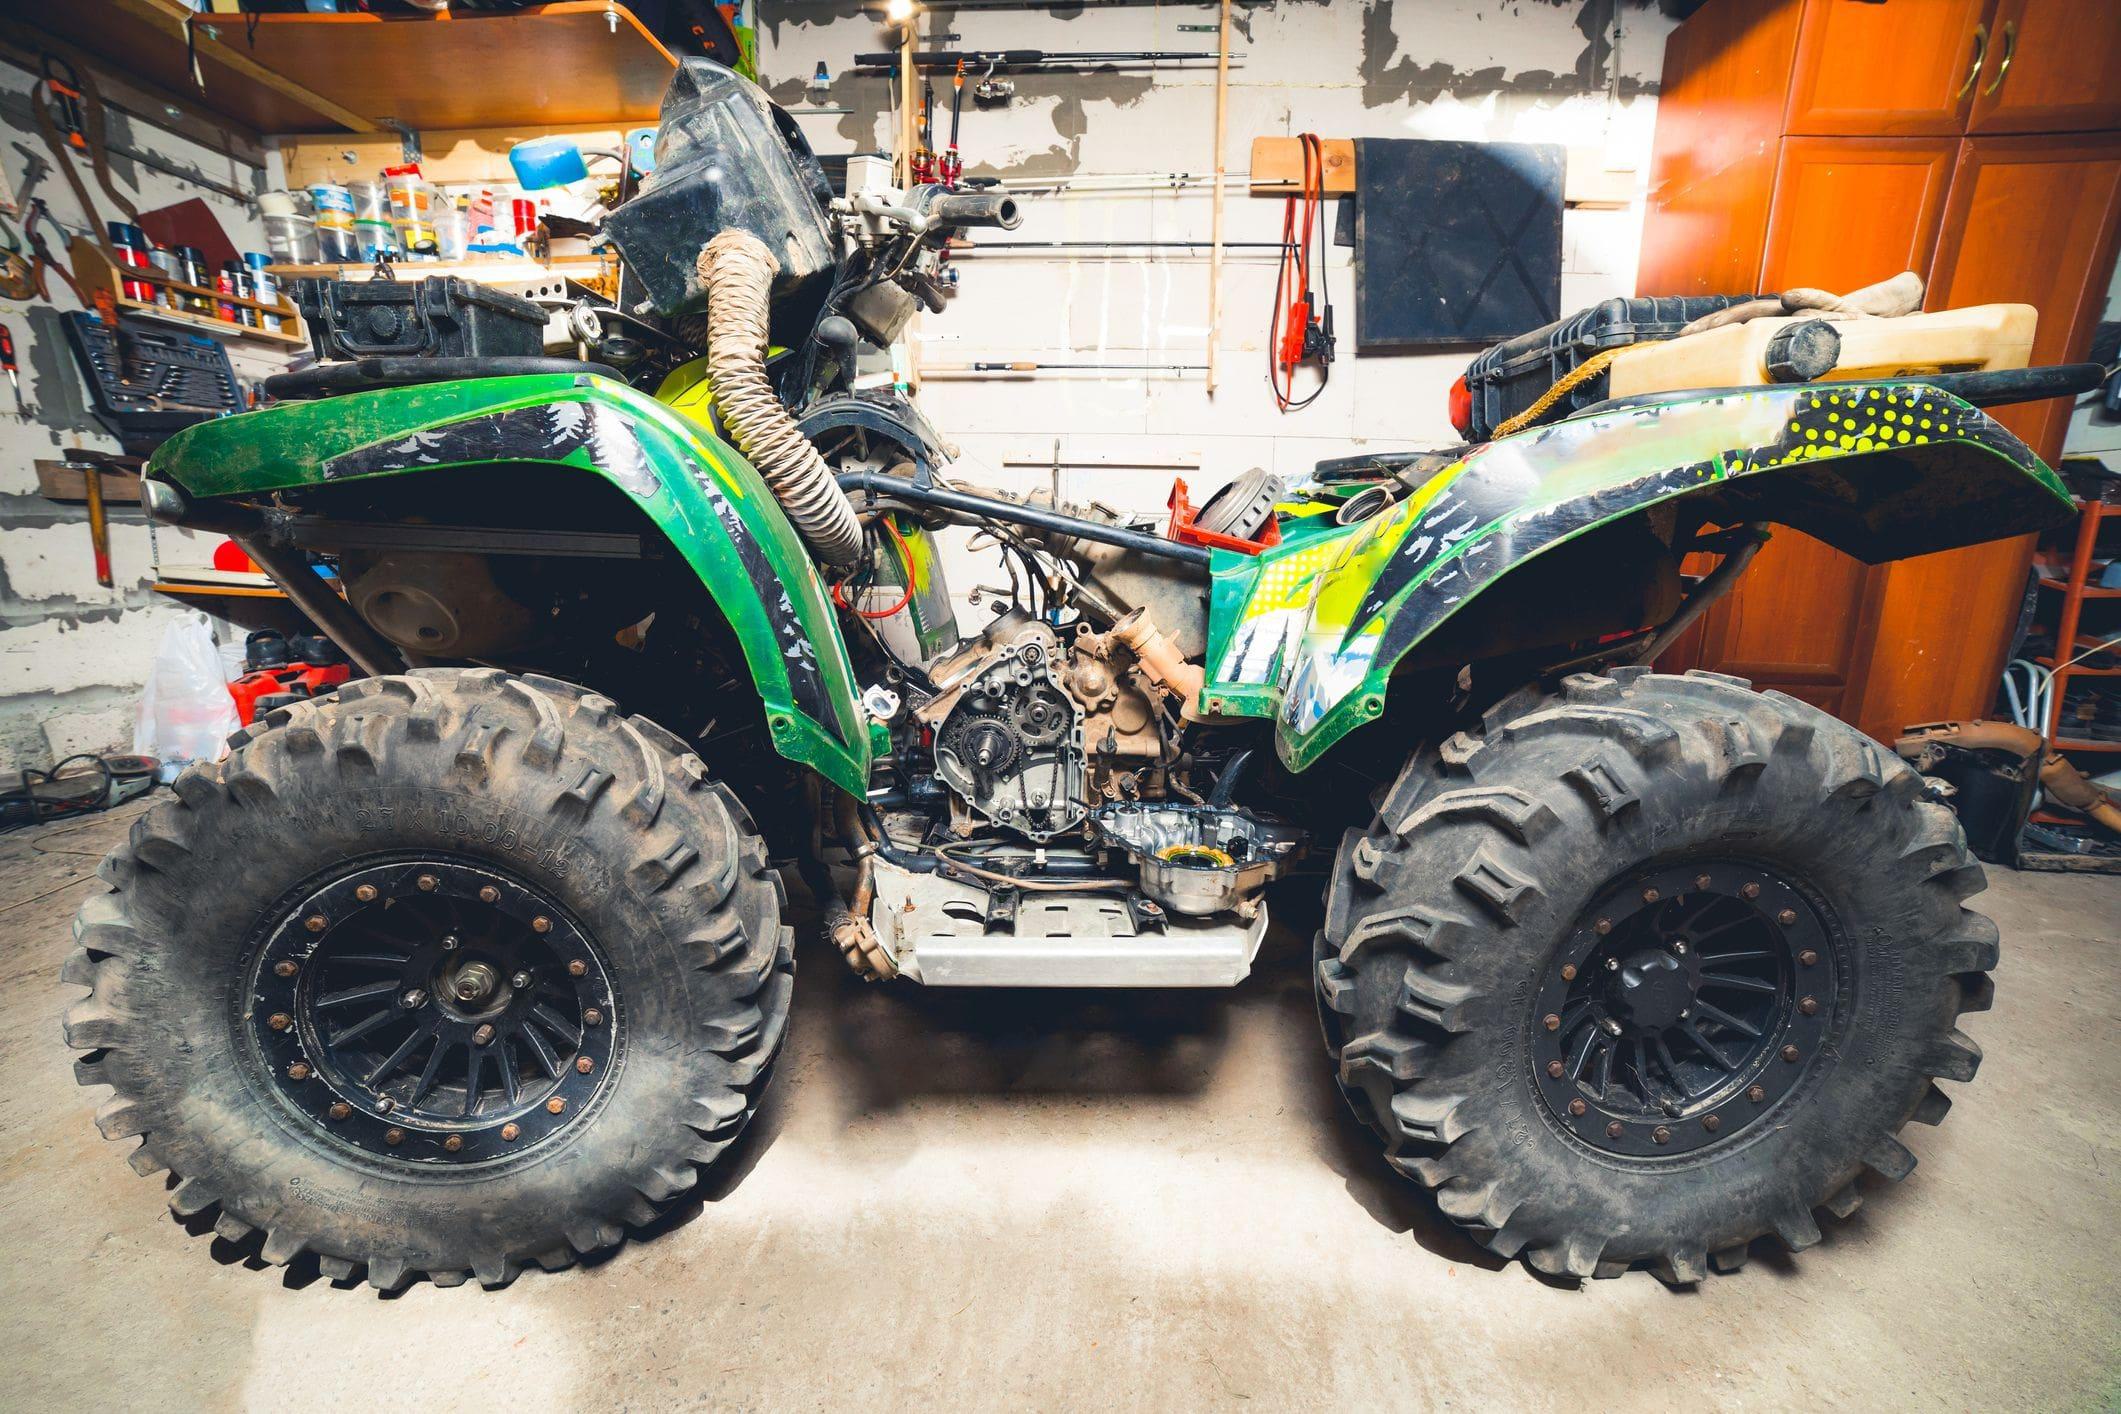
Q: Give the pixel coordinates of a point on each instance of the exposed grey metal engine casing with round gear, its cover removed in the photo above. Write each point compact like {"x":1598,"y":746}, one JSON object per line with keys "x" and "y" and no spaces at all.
{"x":1013,"y":741}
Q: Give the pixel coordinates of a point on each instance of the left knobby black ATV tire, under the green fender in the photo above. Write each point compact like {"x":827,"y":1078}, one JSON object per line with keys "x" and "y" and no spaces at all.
{"x":533,"y":790}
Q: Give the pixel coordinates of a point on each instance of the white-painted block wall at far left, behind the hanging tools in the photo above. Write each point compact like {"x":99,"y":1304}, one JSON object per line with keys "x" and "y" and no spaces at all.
{"x":73,"y":654}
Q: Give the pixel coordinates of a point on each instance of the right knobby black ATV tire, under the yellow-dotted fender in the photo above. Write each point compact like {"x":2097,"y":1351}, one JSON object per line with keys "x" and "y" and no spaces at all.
{"x":1456,"y":917}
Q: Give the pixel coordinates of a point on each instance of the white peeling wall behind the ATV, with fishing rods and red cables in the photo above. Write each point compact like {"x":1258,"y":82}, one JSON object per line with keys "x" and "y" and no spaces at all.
{"x":1375,"y":69}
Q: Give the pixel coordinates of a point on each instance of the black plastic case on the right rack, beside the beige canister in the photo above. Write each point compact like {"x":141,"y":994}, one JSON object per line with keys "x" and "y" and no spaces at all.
{"x":1511,"y":376}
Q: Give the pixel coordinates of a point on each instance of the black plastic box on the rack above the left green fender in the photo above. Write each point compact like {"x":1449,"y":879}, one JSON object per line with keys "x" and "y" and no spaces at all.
{"x":423,"y":319}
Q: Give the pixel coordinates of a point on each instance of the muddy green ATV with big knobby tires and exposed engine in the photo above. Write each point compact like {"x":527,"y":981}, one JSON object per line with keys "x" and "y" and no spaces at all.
{"x":468,"y":968}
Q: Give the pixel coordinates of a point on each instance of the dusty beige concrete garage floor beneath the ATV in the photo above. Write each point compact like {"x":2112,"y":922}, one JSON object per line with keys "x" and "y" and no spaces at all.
{"x":1106,"y":1203}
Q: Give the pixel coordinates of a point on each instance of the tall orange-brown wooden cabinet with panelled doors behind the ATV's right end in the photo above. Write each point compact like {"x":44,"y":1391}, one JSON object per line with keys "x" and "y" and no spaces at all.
{"x":1861,"y":183}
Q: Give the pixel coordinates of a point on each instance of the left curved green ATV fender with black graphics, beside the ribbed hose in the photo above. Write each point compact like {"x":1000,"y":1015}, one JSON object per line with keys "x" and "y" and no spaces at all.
{"x":707,"y":501}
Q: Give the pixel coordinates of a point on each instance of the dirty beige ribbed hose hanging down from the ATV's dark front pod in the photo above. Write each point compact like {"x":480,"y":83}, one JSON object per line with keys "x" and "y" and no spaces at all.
{"x":739,"y":272}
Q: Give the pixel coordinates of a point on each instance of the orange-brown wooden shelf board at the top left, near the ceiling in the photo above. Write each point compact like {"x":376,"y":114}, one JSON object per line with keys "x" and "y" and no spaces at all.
{"x":567,"y":63}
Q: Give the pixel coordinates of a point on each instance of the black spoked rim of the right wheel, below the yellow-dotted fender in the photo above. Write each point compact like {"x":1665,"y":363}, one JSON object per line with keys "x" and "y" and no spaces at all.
{"x":1683,"y":1008}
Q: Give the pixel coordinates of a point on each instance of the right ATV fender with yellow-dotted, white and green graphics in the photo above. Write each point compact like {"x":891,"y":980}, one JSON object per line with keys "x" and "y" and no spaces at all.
{"x":1312,"y":631}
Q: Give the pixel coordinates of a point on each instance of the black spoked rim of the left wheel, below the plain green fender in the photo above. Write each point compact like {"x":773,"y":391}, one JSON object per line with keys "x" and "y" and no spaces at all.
{"x":434,"y":1012}
